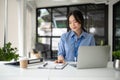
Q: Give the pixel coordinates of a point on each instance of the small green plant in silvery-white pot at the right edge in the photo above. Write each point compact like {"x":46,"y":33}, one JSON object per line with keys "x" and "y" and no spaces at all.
{"x":116,"y":57}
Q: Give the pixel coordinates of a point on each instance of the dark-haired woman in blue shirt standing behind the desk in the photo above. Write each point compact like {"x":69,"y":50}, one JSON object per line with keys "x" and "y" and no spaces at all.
{"x":77,"y":36}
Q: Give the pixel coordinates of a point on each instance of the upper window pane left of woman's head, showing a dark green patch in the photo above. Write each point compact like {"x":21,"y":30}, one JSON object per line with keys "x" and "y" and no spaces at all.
{"x":59,"y":21}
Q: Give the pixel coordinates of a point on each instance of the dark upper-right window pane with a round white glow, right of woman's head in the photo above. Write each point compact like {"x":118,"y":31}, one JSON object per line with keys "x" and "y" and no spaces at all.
{"x":96,"y":19}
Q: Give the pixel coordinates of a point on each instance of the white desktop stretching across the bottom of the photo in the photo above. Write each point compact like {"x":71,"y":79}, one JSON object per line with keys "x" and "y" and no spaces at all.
{"x":68,"y":73}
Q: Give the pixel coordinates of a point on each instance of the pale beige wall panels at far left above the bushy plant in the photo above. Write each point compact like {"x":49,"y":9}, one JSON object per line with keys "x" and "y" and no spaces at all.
{"x":12,"y":34}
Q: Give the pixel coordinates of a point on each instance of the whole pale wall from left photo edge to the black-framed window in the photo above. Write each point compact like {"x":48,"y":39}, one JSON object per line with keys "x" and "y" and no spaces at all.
{"x":14,"y":16}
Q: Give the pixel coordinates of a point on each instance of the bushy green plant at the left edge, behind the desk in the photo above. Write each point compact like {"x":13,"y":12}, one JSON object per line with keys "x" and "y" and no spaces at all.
{"x":7,"y":53}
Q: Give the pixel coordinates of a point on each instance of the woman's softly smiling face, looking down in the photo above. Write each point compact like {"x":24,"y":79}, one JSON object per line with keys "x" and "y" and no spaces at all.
{"x":74,"y":25}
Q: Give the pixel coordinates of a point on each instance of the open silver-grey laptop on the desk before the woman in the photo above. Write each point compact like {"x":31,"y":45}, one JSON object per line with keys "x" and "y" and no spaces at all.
{"x":92,"y":57}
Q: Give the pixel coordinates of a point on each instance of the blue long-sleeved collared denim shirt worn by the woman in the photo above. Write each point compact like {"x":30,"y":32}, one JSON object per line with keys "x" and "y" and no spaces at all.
{"x":69,"y":43}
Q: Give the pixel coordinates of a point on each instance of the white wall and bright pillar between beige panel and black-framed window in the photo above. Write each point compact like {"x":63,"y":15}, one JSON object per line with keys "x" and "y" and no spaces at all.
{"x":26,"y":25}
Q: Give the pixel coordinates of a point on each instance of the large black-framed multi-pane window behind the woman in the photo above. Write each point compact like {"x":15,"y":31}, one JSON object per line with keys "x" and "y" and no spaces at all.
{"x":52,"y":23}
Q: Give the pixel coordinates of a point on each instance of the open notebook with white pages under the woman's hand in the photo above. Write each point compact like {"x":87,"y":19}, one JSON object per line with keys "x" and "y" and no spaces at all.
{"x":52,"y":65}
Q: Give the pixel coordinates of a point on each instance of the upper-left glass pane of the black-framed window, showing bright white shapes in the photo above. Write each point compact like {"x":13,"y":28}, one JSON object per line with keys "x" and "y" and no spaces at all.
{"x":44,"y":22}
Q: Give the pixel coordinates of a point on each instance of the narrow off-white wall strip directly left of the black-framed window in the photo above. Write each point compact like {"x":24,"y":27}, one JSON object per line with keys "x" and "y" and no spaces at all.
{"x":30,"y":28}
